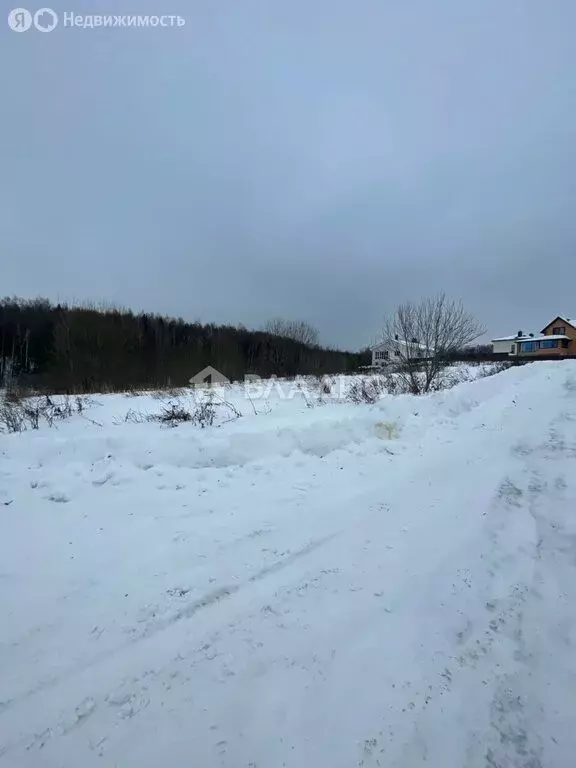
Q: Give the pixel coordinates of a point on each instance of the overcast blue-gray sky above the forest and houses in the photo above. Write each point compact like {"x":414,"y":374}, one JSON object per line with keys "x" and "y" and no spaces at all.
{"x":313,"y":159}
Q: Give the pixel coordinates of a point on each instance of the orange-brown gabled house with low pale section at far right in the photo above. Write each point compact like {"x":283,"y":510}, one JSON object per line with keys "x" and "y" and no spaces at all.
{"x":557,"y":338}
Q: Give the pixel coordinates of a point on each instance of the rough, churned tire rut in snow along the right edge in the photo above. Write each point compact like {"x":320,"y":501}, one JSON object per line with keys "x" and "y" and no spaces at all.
{"x":532,"y":695}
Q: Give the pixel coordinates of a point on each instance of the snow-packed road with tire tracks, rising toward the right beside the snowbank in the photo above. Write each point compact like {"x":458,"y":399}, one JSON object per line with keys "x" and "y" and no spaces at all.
{"x":381,"y":646}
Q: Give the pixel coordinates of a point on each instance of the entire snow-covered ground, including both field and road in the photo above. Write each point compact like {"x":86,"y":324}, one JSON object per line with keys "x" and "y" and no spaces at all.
{"x":300,"y":587}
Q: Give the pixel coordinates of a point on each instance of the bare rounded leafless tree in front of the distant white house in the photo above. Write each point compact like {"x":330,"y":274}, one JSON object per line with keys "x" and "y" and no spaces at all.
{"x":422,"y":335}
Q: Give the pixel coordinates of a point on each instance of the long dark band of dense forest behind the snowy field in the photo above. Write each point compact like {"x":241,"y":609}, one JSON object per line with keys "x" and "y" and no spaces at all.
{"x":86,"y":349}
